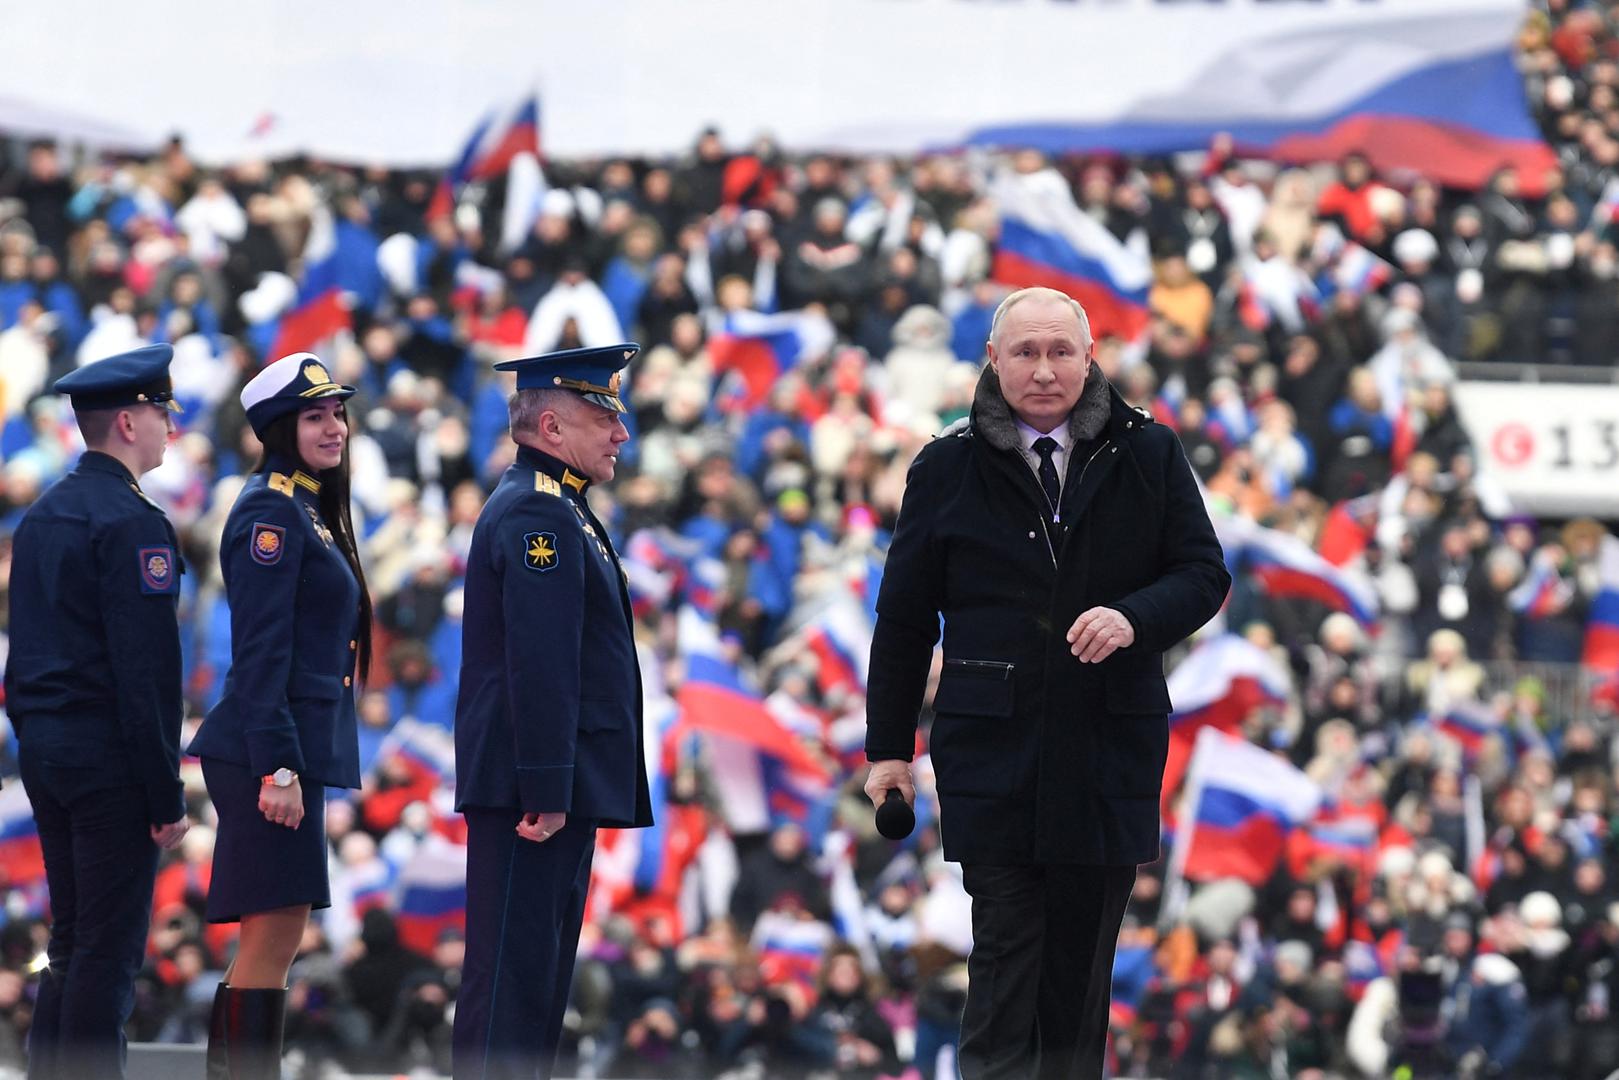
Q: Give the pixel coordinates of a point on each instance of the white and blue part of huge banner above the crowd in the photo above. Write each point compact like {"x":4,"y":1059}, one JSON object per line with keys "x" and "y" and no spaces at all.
{"x":404,"y":83}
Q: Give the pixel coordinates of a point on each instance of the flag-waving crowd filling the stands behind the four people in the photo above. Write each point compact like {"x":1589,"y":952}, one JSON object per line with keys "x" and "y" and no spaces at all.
{"x":1306,"y":328}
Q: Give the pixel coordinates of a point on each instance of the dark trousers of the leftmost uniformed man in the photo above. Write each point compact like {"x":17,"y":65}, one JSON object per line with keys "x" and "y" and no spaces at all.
{"x":100,"y":867}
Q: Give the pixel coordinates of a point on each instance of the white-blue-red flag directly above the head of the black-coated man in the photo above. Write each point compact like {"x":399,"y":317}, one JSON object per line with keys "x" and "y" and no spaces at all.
{"x":1048,"y":240}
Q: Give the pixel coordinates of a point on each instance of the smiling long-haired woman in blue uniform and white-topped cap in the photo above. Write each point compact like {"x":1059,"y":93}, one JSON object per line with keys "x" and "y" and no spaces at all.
{"x":284,"y":731}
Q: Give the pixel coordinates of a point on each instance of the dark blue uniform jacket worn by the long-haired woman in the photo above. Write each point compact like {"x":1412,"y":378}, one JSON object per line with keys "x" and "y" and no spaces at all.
{"x":294,"y":624}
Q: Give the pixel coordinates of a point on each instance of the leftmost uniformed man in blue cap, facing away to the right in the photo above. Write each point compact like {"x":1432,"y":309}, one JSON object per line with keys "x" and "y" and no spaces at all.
{"x":93,"y":689}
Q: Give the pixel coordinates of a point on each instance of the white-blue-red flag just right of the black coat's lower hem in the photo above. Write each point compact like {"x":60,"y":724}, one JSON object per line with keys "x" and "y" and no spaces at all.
{"x":1244,"y":804}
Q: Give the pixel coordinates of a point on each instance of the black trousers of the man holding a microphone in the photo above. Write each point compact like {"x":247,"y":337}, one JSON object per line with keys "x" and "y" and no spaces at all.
{"x":1042,"y":969}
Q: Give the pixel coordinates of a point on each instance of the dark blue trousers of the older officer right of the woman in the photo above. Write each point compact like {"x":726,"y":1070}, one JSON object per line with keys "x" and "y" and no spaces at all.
{"x":525,"y":904}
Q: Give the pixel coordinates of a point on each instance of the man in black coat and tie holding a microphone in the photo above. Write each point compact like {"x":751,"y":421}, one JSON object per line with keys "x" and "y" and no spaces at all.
{"x":1064,"y":542}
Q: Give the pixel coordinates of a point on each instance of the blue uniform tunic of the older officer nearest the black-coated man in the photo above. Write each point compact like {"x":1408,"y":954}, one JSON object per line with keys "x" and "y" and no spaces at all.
{"x":550,"y":710}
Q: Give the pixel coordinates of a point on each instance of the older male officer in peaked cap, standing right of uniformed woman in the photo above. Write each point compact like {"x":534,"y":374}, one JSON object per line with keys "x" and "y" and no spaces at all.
{"x":548,"y":726}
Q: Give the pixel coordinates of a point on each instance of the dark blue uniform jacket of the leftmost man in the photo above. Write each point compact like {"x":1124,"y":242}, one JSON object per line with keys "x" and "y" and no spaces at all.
{"x":93,"y":681}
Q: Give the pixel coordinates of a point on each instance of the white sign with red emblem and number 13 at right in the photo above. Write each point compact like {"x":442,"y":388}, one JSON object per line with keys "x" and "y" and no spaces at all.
{"x":1552,"y":449}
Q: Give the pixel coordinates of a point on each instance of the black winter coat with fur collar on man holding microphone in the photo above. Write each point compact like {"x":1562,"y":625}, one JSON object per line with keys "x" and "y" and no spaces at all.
{"x":1042,"y":759}
